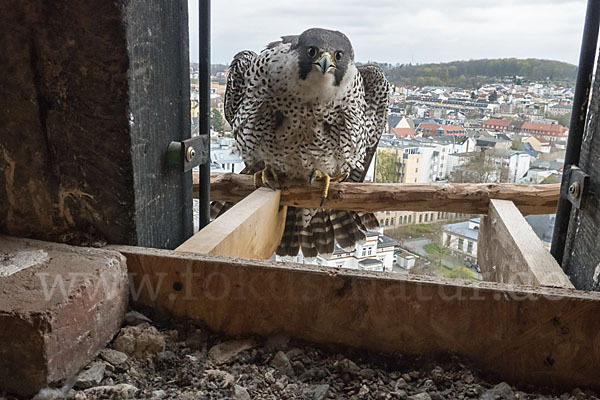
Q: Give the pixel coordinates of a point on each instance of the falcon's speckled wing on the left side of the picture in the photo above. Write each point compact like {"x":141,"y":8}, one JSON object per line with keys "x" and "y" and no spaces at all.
{"x":236,"y":83}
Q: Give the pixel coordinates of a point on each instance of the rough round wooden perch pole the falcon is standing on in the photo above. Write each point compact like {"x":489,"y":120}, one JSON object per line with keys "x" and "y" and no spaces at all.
{"x":466,"y":198}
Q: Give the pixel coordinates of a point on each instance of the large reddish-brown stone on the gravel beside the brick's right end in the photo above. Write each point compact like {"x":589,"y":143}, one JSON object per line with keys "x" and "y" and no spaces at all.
{"x":139,"y":341}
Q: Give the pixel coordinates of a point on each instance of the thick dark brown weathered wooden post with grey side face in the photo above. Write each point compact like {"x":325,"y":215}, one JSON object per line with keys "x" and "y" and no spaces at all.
{"x":83,"y":134}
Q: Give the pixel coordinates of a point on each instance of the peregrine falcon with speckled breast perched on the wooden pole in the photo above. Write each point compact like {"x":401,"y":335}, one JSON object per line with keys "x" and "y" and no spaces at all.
{"x":302,"y":109}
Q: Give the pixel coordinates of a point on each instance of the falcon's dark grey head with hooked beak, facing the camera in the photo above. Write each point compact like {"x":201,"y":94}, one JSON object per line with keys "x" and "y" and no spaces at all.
{"x":324,"y":52}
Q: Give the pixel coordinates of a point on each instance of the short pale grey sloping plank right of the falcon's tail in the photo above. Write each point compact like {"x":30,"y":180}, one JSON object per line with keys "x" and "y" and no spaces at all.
{"x":509,"y":251}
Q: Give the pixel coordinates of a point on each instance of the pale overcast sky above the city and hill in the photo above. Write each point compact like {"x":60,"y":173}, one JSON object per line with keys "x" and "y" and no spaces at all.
{"x":402,"y":31}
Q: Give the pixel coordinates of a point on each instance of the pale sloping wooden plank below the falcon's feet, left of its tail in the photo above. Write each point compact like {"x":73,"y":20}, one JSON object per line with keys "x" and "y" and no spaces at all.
{"x":252,"y":228}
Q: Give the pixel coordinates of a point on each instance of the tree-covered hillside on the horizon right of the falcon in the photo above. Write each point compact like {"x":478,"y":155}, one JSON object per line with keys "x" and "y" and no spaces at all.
{"x":474,"y":73}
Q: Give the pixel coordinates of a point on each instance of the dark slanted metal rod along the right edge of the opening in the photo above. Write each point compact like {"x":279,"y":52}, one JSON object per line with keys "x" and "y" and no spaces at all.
{"x":578,"y":116}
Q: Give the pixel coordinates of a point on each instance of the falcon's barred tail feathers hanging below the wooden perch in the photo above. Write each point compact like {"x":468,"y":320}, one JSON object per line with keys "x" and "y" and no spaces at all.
{"x":324,"y":229}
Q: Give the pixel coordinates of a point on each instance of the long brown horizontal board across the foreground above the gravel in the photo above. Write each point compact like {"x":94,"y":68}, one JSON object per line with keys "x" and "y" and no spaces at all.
{"x":526,"y":335}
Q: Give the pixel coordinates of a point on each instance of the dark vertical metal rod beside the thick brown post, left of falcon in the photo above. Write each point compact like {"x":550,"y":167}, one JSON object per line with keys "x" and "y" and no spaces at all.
{"x":204,"y":105}
